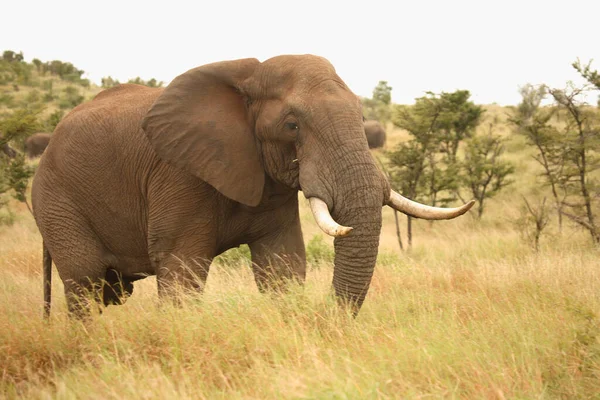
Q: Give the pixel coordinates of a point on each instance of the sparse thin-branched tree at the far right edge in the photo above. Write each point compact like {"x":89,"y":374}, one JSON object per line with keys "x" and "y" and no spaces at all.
{"x":567,"y":139}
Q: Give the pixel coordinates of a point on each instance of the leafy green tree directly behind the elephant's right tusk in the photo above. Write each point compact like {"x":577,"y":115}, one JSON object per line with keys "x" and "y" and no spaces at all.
{"x":425,"y":168}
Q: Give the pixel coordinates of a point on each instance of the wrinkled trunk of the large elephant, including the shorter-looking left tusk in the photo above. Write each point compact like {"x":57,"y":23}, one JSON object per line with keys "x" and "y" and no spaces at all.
{"x":350,"y":192}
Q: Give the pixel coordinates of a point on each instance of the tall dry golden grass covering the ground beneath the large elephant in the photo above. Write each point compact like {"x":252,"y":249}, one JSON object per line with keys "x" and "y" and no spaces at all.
{"x":470,"y":312}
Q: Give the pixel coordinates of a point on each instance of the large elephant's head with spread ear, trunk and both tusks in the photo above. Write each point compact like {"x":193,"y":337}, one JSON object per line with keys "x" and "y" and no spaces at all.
{"x":292,"y":119}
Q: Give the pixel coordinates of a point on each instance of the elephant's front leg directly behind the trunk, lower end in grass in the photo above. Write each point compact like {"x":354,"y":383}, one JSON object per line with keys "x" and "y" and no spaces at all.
{"x":279,"y":257}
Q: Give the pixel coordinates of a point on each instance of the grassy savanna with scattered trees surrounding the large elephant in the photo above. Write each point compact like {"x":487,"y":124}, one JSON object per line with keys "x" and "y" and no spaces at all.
{"x":503,"y":302}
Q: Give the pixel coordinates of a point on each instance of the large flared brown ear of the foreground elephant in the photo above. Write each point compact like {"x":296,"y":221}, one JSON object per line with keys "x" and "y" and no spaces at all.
{"x":200,"y":124}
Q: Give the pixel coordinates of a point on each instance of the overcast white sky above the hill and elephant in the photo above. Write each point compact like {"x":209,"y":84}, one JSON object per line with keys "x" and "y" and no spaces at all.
{"x":487,"y":47}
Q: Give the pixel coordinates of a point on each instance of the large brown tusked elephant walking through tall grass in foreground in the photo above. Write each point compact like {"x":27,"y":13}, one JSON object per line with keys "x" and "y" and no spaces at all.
{"x":147,"y":181}
